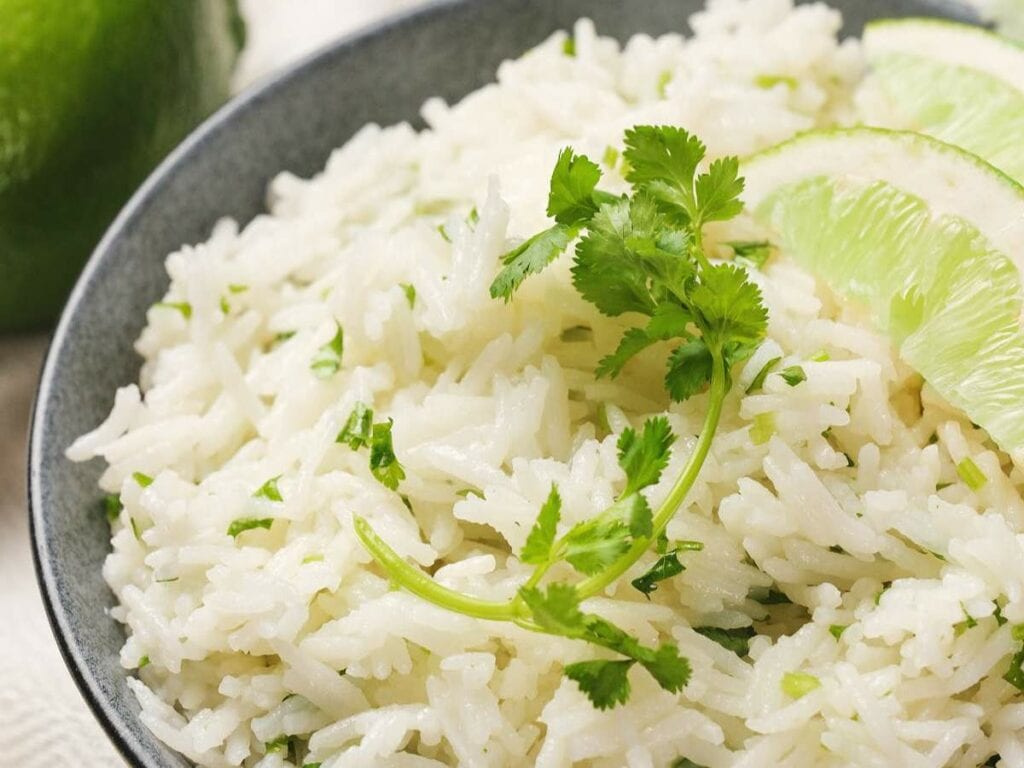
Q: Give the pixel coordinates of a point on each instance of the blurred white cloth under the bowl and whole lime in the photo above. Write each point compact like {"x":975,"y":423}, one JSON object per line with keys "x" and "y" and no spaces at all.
{"x":45,"y":723}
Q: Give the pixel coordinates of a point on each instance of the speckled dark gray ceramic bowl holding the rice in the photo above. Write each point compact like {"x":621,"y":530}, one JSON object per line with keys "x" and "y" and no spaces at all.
{"x":293,"y":122}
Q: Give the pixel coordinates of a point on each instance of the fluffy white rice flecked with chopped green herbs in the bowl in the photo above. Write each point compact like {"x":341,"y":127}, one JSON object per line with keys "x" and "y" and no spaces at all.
{"x":852,"y":509}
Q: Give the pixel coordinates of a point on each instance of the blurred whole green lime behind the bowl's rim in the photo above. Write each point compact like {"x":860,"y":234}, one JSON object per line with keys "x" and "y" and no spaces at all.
{"x":94,"y":94}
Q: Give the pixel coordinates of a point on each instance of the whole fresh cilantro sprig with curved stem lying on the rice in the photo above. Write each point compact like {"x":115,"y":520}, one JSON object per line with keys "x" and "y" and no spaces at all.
{"x":641,"y":254}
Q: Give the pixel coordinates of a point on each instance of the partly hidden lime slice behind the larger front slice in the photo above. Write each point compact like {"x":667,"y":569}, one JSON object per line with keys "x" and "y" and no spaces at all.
{"x":956,"y":82}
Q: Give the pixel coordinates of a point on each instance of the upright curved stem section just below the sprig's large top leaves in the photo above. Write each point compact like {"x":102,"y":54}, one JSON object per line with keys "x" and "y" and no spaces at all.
{"x":670,"y":506}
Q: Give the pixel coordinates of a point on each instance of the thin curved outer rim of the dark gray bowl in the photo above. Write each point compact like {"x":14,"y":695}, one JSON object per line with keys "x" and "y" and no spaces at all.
{"x":117,"y":731}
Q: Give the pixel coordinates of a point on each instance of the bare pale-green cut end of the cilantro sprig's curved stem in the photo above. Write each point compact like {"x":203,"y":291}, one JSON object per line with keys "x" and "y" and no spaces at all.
{"x":421,"y":585}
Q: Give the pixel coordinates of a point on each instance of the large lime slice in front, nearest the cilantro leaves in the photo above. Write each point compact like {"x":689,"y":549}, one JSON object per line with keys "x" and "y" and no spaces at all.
{"x":928,"y":238}
